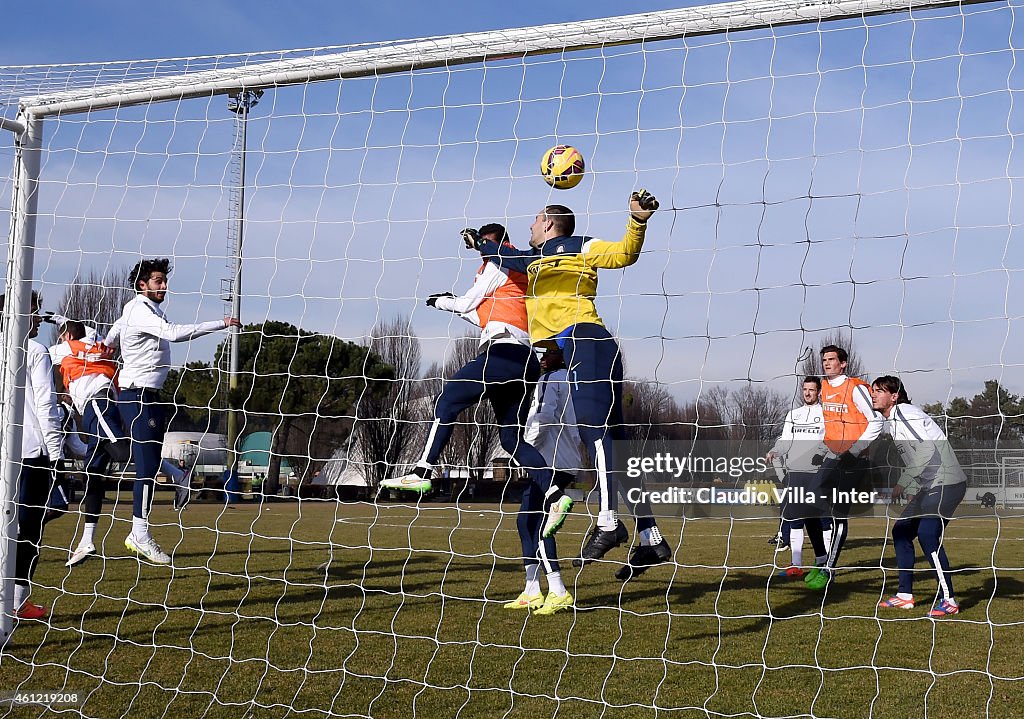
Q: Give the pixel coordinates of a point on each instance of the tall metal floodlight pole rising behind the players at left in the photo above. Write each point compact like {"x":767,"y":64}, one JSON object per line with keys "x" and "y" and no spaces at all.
{"x":240,"y":104}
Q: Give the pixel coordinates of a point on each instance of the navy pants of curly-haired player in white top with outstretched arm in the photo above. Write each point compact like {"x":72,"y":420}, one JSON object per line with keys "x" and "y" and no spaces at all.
{"x":143,"y":416}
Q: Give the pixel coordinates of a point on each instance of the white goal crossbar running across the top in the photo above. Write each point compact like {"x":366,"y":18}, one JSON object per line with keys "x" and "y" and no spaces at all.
{"x":468,"y":49}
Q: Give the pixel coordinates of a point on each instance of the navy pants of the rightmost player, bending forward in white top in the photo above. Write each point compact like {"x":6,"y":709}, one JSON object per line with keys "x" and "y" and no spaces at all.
{"x":926,"y":518}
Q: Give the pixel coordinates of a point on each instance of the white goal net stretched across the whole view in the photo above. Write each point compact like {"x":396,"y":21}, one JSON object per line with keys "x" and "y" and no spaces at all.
{"x":828,"y":170}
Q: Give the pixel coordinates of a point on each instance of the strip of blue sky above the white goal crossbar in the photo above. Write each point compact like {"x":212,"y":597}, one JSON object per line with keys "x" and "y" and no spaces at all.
{"x":68,"y":31}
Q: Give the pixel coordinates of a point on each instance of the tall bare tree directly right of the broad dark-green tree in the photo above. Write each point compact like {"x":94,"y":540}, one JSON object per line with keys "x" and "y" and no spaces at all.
{"x":387,"y":427}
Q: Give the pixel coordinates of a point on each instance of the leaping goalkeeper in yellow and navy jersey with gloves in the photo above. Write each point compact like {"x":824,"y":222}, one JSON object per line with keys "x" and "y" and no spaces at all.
{"x":563,"y":284}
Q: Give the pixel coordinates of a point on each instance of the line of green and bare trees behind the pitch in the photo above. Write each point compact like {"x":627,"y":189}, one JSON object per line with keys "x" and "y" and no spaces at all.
{"x":316,"y":394}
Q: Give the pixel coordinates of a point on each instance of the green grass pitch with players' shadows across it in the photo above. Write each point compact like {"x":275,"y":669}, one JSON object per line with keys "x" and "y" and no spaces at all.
{"x":246,"y":625}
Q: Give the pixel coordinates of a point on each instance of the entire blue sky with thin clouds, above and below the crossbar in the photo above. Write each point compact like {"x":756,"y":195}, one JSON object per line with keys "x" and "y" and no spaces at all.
{"x":861,"y":176}
